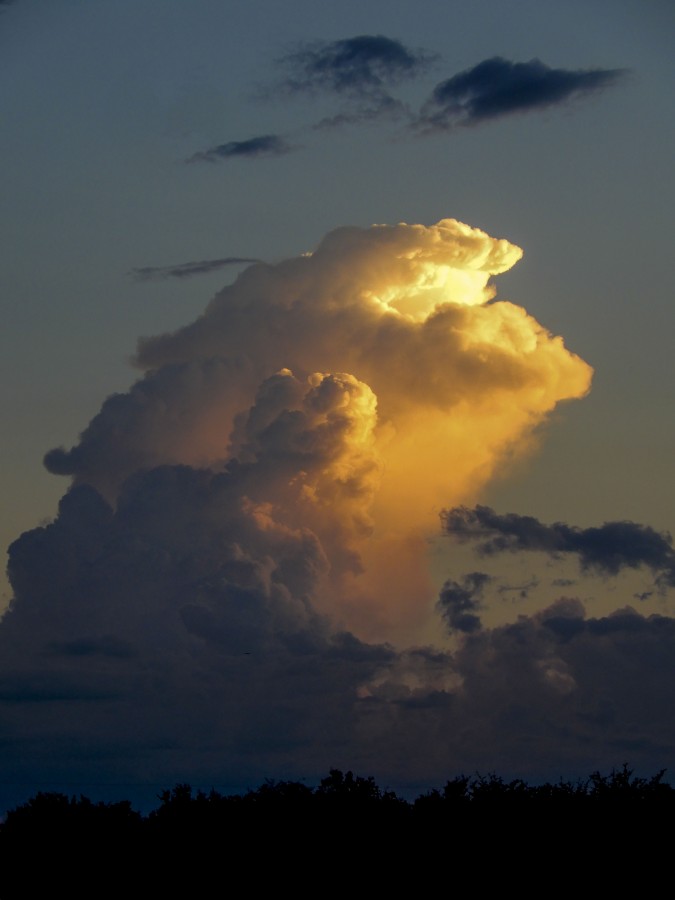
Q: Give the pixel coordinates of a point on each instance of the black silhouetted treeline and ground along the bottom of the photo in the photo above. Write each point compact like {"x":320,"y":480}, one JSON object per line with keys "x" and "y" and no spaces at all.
{"x":607,"y":833}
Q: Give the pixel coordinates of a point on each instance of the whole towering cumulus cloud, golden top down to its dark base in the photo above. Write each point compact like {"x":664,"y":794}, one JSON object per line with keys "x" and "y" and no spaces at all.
{"x":237,"y":578}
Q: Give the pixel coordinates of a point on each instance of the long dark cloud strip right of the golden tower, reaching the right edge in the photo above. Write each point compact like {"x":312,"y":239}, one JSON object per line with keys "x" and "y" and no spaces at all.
{"x":607,"y":549}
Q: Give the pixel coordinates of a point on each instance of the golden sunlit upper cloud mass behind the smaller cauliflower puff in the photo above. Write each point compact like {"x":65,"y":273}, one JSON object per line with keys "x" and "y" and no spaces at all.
{"x":456,"y":380}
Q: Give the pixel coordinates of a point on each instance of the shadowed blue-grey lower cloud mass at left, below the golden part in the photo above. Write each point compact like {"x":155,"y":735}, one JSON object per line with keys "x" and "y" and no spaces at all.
{"x":177,"y":624}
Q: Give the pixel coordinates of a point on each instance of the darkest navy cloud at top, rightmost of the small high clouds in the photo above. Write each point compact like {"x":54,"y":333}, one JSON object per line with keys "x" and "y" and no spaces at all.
{"x":497,"y":87}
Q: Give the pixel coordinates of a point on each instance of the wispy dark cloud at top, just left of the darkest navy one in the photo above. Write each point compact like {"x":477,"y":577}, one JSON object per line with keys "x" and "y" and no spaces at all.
{"x":360,"y":65}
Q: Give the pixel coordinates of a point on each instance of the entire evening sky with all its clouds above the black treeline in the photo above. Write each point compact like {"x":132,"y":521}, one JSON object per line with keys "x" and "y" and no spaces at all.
{"x":337,"y":392}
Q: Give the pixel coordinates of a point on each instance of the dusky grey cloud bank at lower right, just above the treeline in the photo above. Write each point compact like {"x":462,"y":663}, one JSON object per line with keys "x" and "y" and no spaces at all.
{"x":593,"y":685}
